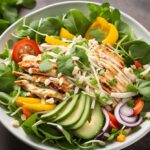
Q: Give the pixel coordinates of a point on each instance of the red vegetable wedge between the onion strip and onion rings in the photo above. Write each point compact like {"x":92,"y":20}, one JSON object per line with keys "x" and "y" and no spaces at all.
{"x":113,"y":121}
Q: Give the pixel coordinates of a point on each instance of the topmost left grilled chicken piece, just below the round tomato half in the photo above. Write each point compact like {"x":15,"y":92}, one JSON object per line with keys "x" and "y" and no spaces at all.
{"x":31,"y":65}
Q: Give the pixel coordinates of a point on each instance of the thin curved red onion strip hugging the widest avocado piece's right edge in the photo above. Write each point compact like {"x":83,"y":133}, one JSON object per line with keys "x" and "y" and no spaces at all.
{"x":107,"y":120}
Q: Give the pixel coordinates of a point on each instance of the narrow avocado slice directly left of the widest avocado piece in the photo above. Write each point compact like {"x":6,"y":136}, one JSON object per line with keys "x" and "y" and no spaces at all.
{"x":85,"y":114}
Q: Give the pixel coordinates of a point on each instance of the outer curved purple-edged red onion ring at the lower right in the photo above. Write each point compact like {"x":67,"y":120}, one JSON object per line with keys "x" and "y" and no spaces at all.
{"x":121,"y":121}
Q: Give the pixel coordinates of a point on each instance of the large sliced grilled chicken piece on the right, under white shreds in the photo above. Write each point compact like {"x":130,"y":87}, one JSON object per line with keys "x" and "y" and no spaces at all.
{"x":114,"y":69}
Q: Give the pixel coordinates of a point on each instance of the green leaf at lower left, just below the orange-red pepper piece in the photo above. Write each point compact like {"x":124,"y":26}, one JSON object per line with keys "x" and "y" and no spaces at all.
{"x":27,"y":125}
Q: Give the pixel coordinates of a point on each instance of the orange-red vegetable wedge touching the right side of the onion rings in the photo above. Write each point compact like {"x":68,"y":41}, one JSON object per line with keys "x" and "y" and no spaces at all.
{"x":139,"y":104}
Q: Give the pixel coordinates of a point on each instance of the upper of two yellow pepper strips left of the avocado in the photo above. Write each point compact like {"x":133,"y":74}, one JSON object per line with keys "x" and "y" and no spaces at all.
{"x":21,"y":100}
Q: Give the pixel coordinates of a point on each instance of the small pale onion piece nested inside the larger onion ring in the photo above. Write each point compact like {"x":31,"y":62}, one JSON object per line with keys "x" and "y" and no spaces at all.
{"x":126,"y":110}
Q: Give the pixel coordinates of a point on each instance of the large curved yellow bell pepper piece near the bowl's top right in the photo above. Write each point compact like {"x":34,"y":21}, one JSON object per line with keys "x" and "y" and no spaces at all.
{"x":109,"y":30}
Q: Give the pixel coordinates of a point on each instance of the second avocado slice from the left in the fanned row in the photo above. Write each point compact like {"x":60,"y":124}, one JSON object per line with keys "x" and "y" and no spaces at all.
{"x":67,"y":110}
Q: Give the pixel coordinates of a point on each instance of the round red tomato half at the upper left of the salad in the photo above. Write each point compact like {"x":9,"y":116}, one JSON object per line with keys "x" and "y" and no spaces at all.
{"x":25,"y":46}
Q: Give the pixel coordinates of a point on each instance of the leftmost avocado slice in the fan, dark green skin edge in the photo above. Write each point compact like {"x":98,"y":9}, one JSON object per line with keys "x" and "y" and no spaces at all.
{"x":48,"y":116}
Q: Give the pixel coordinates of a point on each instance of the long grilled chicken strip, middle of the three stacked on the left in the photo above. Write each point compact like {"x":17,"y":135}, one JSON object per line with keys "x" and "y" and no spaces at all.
{"x":61,"y":85}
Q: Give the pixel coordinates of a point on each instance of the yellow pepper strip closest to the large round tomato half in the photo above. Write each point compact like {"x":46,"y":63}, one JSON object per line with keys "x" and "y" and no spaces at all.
{"x":53,"y":41}
